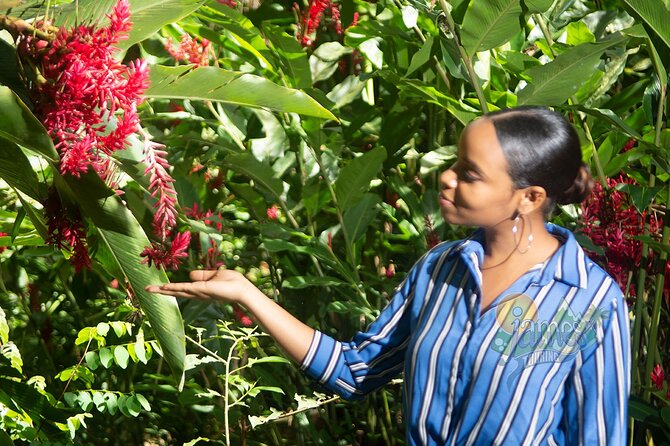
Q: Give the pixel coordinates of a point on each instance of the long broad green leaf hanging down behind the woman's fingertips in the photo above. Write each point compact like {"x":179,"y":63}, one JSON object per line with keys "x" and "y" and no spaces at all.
{"x":124,"y":238}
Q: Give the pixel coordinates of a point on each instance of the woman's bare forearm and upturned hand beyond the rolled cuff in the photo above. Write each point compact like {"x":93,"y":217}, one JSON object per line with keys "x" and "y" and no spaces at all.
{"x":231,"y":286}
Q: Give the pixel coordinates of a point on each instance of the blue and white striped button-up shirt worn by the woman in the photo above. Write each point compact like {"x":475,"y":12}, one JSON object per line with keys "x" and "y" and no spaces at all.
{"x":546,"y":363}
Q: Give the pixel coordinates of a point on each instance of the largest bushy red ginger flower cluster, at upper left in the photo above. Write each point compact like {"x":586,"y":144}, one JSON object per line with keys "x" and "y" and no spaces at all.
{"x":88,"y":102}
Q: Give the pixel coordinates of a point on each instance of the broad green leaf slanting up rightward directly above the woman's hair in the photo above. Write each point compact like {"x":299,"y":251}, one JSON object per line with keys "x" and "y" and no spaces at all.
{"x":555,"y":82}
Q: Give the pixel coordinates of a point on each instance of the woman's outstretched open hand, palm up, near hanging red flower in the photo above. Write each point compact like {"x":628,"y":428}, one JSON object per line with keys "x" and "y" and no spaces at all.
{"x":220,"y":285}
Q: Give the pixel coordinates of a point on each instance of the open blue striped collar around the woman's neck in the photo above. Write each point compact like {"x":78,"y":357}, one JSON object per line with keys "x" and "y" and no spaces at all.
{"x":567,"y":264}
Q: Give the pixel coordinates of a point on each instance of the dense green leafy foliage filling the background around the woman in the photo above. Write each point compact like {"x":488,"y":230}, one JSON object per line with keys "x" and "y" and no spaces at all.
{"x":318,"y":166}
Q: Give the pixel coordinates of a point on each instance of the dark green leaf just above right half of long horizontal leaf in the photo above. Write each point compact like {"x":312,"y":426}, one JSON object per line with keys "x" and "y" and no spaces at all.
{"x":292,"y":56}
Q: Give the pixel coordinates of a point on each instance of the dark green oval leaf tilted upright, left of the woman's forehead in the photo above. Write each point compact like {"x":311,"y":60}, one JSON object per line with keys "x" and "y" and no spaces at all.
{"x":354,"y":179}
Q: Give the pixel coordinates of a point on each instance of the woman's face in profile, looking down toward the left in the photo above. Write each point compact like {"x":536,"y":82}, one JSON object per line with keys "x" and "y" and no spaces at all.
{"x":477,"y":190}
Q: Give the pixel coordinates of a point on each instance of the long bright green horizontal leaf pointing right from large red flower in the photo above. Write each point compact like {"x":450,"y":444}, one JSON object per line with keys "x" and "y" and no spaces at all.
{"x":232,"y":87}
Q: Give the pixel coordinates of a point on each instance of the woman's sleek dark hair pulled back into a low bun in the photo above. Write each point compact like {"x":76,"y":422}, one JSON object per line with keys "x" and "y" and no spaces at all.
{"x":542,"y":149}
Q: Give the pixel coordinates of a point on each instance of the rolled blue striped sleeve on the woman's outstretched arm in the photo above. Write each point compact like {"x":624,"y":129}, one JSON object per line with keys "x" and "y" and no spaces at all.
{"x":371,"y":358}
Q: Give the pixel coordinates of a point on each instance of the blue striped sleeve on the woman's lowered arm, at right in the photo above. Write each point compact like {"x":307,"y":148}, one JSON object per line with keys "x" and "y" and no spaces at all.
{"x":598,"y":388}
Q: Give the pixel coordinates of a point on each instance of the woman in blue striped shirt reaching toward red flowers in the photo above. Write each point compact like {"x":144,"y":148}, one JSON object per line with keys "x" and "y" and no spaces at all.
{"x":512,"y":336}
